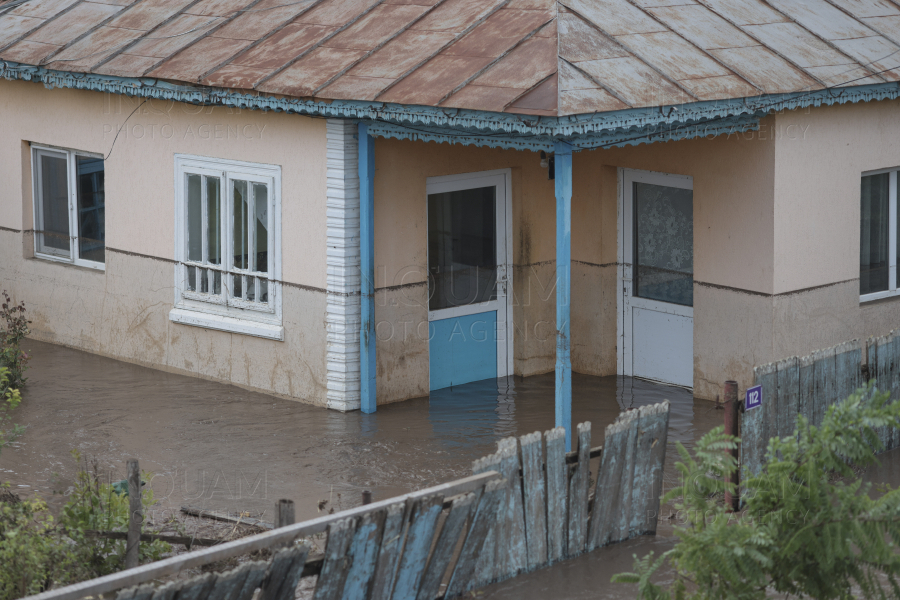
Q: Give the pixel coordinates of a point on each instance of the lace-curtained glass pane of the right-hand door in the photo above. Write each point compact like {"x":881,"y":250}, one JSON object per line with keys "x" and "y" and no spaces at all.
{"x":664,"y":243}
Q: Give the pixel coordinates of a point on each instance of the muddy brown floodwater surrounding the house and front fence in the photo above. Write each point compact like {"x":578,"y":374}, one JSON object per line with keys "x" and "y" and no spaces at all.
{"x":221,"y":447}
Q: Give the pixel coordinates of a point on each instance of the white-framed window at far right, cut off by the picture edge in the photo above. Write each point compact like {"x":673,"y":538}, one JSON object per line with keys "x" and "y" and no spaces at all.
{"x":878,"y":236}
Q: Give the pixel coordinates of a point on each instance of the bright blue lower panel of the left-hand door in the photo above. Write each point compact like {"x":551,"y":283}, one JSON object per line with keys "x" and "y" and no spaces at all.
{"x":463,"y":349}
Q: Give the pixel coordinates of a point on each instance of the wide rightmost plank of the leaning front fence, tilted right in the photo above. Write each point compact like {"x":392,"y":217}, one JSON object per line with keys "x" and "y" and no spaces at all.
{"x":650,"y":457}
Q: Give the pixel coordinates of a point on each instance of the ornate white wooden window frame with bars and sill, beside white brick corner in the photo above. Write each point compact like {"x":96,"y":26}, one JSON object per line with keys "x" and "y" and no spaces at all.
{"x":212,"y":311}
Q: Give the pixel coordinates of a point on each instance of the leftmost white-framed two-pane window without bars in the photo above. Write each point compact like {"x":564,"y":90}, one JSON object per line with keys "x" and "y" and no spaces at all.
{"x":69,"y":206}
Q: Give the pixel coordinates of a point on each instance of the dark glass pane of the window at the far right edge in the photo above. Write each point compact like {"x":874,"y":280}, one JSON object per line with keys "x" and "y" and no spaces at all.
{"x":873,"y":234}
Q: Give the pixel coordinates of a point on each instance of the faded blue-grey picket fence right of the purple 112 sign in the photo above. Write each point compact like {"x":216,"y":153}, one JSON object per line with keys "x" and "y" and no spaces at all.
{"x":808,"y":385}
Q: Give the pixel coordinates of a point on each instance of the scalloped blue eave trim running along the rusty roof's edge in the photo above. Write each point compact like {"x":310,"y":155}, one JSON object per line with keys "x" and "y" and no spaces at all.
{"x":460,"y":123}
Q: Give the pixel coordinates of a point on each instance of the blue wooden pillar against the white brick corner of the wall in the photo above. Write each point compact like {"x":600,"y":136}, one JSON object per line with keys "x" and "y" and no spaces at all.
{"x":367,"y":269}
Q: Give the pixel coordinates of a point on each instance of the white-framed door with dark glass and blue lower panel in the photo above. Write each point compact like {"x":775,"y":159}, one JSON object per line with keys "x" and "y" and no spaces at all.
{"x":469,"y":278}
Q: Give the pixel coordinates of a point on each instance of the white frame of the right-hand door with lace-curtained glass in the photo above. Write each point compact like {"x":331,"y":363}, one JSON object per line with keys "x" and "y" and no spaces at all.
{"x":624,"y":257}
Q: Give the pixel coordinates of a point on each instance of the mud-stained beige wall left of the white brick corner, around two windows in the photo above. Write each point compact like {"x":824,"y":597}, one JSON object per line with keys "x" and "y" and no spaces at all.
{"x":123,"y":312}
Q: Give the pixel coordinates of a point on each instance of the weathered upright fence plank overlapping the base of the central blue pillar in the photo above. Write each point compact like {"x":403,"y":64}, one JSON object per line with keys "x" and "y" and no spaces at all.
{"x":557,"y":507}
